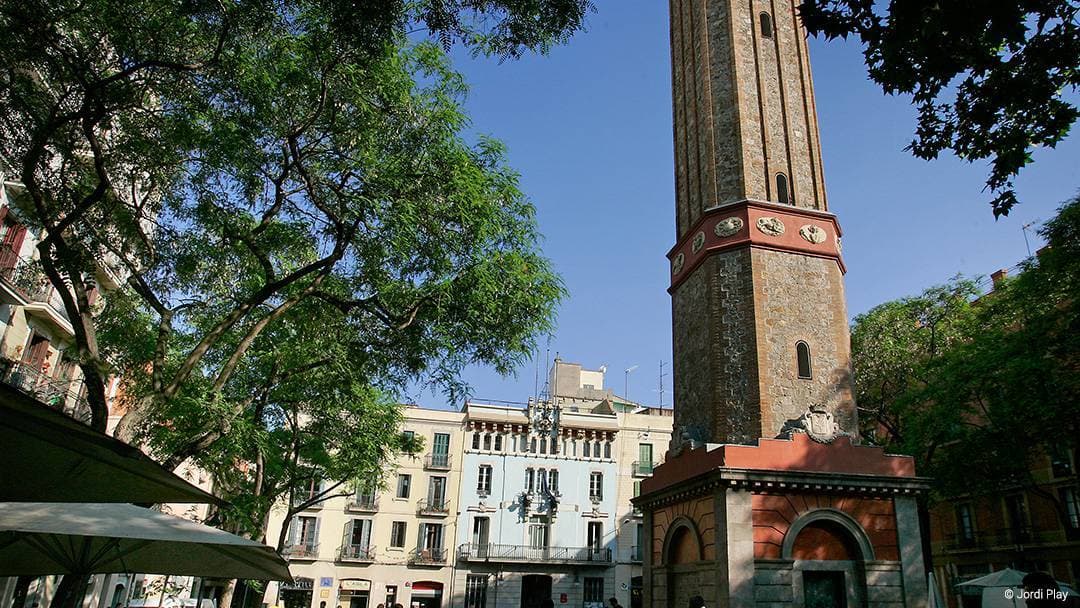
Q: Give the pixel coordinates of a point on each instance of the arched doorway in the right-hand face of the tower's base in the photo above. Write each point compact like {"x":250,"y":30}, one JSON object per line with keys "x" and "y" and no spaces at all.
{"x":829,"y":550}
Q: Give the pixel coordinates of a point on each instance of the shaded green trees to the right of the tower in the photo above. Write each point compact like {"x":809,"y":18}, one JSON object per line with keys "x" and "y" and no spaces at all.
{"x":979,"y":389}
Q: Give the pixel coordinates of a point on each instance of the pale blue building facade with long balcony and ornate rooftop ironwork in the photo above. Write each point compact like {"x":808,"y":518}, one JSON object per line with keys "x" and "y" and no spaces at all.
{"x":537,"y":521}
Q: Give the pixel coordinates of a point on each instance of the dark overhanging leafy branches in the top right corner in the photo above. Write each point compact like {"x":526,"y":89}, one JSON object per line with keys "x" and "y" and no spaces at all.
{"x":991,"y":80}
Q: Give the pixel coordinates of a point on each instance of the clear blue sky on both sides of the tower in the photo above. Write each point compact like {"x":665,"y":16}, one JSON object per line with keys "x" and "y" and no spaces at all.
{"x":589,"y":127}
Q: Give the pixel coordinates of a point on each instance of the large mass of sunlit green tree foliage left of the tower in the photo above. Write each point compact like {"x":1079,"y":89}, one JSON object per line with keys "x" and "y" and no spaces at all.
{"x":298,"y":224}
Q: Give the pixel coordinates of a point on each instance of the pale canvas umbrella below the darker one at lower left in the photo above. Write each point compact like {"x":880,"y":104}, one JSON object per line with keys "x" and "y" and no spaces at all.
{"x":45,"y":538}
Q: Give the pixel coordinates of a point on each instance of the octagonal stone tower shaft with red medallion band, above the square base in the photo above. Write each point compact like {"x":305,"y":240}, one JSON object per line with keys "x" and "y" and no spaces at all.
{"x":761,"y":330}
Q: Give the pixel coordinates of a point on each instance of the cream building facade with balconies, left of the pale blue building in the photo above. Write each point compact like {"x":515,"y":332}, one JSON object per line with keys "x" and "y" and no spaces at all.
{"x":354,"y":561}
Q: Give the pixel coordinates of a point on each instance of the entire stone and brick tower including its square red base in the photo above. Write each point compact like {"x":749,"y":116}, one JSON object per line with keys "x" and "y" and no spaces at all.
{"x":766,"y":498}
